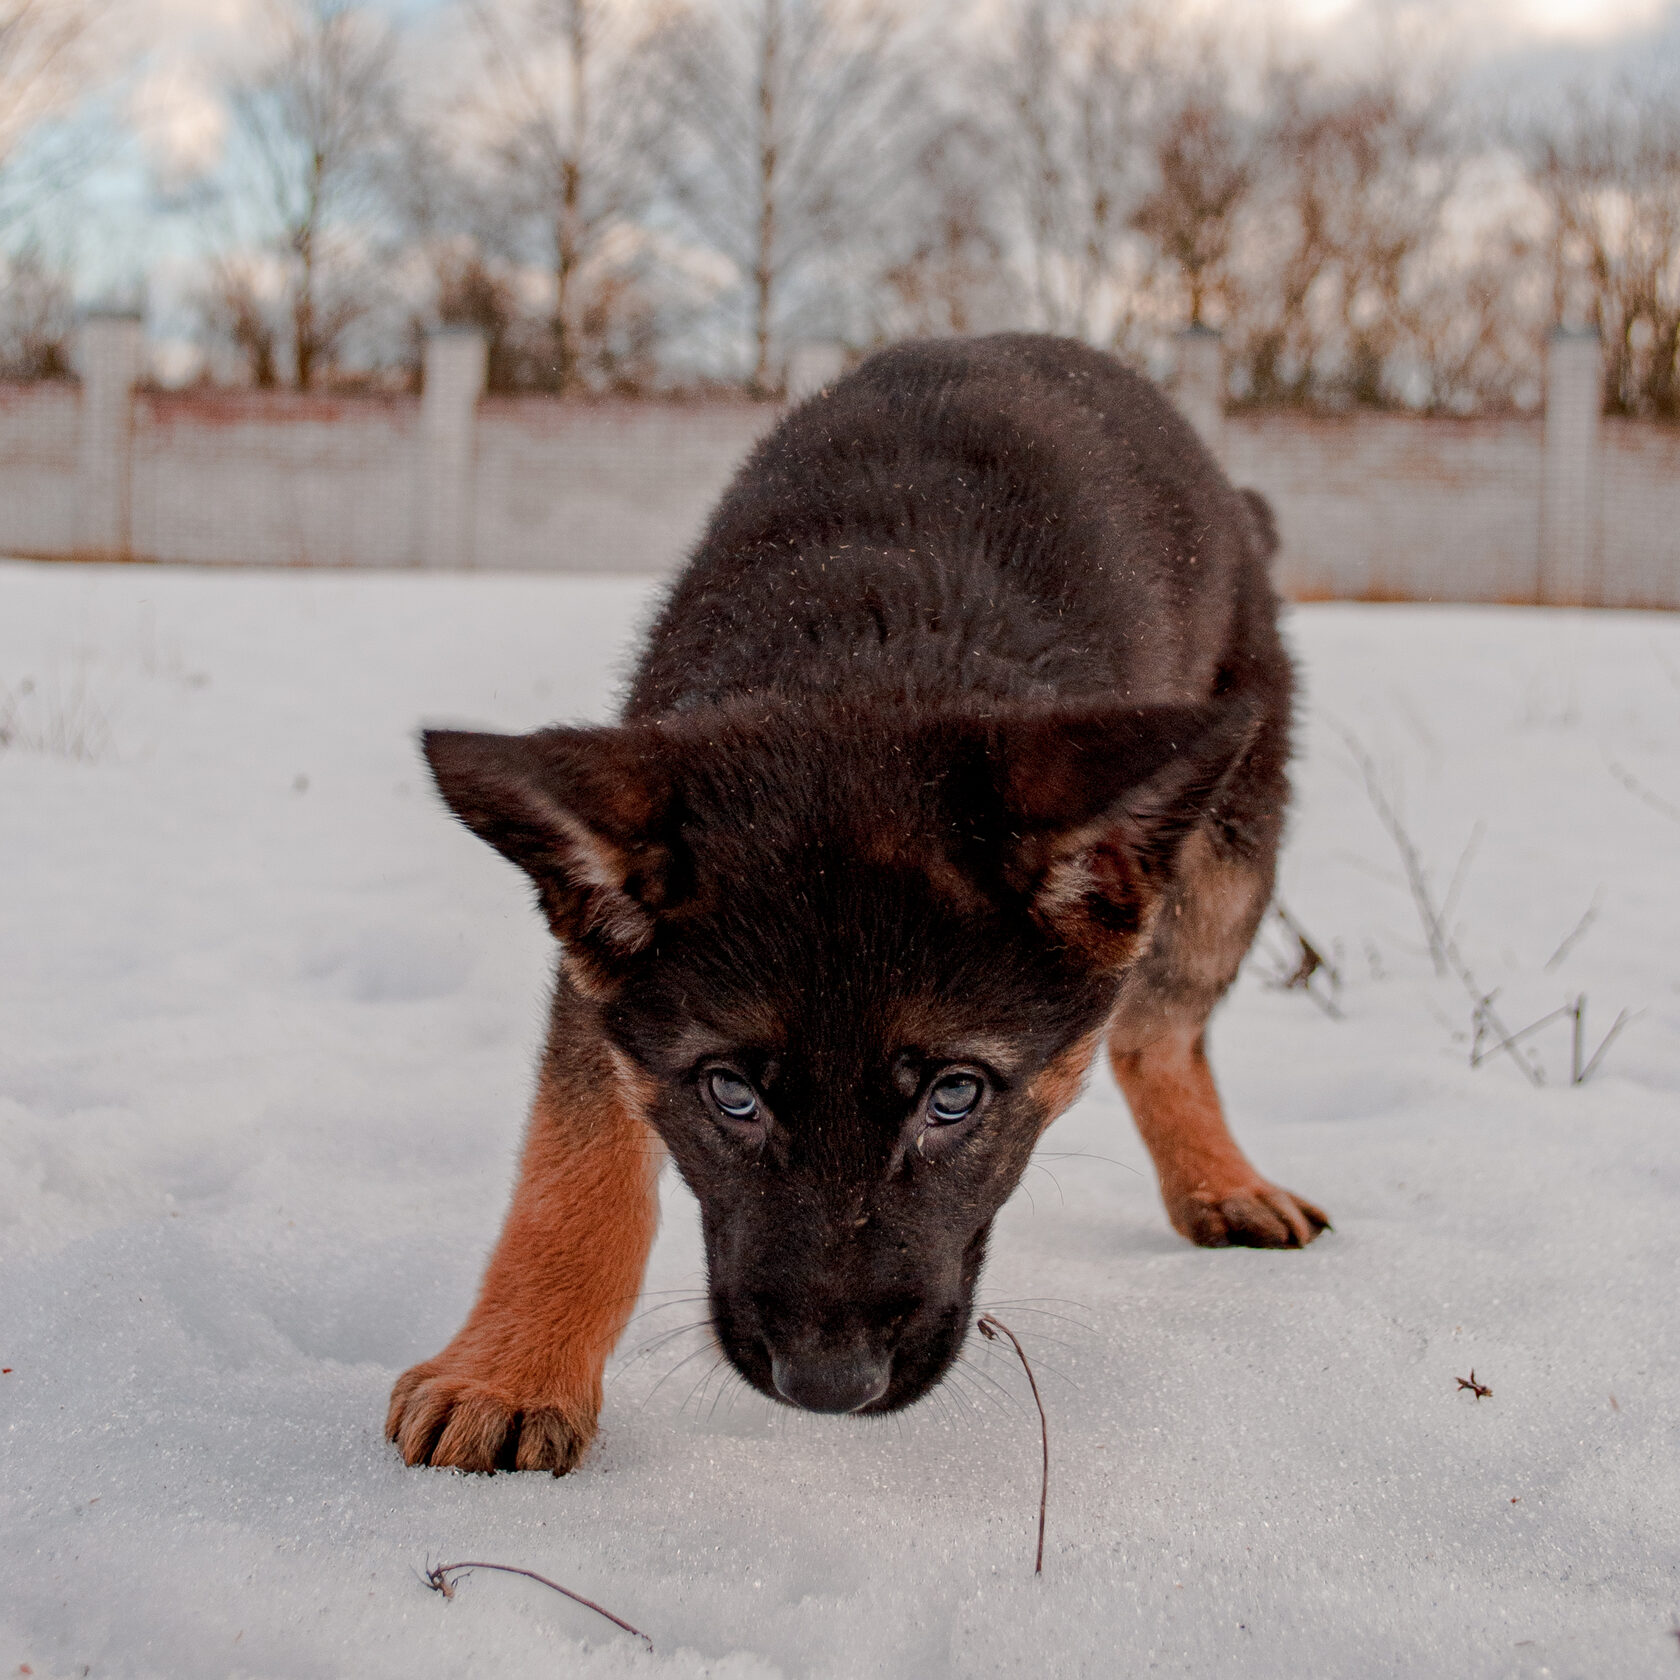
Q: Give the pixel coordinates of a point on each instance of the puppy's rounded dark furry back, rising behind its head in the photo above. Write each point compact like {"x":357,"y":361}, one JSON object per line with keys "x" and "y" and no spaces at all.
{"x":1005,"y":518}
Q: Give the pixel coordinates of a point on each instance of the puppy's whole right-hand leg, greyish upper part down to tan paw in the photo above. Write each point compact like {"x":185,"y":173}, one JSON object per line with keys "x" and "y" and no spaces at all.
{"x":1158,"y":1047}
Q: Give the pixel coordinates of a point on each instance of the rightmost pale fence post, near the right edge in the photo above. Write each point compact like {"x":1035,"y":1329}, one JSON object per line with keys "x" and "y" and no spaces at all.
{"x":1572,"y":488}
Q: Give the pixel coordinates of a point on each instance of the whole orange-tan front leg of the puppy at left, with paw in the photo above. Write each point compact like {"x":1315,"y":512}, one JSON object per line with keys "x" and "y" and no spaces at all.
{"x":520,"y":1387}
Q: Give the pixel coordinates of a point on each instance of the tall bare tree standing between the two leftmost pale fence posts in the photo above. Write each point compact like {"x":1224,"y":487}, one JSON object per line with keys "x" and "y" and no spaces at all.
{"x":310,"y":125}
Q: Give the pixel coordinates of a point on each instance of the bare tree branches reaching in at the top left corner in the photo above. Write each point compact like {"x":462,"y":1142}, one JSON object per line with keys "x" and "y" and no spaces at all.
{"x":43,"y":71}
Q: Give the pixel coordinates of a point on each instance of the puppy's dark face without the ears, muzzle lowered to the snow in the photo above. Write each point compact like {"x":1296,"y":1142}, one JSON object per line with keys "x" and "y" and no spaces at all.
{"x":851,"y":1074}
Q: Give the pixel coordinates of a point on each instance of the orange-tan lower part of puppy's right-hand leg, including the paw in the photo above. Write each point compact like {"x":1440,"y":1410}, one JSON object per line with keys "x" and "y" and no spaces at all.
{"x":1212,"y":1192}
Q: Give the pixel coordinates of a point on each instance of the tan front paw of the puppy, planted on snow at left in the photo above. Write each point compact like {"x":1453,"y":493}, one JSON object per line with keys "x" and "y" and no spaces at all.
{"x":448,"y":1417}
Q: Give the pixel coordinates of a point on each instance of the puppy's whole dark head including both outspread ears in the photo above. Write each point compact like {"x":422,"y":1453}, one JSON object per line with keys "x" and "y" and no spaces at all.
{"x":861,"y":965}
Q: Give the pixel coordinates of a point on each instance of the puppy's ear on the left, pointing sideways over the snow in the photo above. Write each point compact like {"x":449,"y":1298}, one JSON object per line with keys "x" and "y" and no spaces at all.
{"x":584,"y":812}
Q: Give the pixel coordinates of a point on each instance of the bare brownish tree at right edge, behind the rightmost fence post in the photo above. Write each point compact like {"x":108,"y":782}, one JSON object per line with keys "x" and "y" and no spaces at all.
{"x":1610,"y":174}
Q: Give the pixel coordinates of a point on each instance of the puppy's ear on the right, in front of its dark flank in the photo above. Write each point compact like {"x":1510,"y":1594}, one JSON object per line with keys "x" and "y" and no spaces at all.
{"x":1098,"y":802}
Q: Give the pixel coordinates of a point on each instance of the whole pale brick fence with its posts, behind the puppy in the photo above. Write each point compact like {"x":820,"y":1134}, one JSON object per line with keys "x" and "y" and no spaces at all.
{"x":1570,"y":508}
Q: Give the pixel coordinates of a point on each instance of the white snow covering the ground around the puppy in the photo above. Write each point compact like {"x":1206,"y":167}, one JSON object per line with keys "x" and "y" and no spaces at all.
{"x":268,"y":1024}
